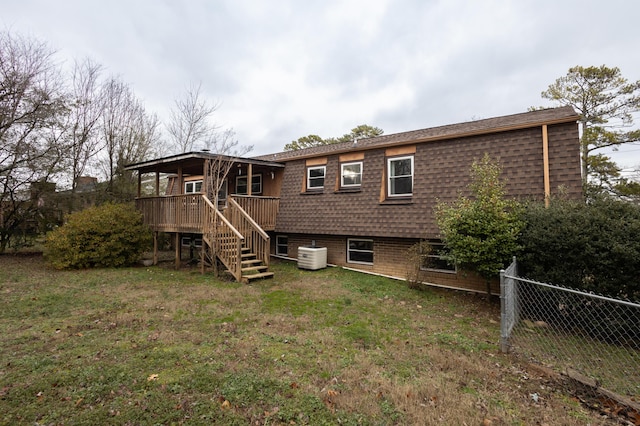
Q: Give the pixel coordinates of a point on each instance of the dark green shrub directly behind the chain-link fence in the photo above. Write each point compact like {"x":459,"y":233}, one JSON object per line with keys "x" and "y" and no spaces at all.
{"x":593,"y":247}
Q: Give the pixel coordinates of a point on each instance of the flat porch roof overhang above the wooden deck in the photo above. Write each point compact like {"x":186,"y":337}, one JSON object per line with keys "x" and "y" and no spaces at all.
{"x":191,"y":163}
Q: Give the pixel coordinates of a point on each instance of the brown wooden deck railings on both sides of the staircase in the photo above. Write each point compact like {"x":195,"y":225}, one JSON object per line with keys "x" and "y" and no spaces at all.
{"x":186,"y":213}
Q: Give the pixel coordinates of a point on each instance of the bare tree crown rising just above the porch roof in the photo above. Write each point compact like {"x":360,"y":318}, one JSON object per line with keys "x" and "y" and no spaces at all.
{"x":190,"y":120}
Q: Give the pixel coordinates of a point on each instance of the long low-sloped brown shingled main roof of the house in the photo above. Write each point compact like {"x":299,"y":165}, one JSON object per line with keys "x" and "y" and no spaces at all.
{"x":469,"y":128}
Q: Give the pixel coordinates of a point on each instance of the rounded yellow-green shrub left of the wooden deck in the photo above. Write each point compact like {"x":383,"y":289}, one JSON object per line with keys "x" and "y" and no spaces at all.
{"x":104,"y":236}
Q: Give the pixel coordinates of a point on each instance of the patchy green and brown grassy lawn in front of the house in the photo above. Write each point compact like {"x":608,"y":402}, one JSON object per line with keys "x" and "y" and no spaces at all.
{"x":158,"y":346}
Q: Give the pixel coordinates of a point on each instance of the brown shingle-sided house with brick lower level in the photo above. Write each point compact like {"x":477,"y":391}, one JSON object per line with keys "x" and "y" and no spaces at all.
{"x":369,"y":200}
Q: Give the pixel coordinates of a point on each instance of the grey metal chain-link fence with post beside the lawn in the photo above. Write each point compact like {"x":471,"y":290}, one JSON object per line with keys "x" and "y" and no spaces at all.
{"x":576,"y":333}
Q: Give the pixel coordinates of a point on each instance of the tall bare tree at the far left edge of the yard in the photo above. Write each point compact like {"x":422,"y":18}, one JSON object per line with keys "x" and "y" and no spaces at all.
{"x":31,"y":112}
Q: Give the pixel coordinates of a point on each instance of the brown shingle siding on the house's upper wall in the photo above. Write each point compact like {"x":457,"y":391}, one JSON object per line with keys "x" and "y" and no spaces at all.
{"x":441,"y":171}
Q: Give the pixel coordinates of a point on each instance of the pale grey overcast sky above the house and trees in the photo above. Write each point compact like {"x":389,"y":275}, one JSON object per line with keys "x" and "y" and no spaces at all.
{"x":285,"y":69}
